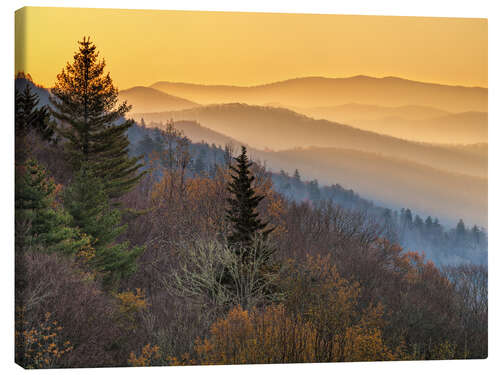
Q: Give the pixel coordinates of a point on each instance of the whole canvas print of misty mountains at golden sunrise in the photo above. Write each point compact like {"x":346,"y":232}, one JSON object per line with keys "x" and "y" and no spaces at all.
{"x":211,"y":188}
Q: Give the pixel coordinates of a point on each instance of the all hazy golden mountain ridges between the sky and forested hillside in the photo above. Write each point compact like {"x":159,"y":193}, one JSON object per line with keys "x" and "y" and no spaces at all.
{"x":447,"y":181}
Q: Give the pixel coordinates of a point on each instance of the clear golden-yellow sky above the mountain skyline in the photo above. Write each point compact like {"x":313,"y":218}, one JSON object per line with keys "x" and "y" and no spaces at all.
{"x":143,"y":47}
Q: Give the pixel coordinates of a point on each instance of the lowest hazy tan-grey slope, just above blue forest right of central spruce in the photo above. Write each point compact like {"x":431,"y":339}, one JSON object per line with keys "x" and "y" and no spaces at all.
{"x":392,"y":181}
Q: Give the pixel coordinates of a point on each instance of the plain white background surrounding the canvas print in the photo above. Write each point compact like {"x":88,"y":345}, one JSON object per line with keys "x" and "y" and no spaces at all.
{"x":443,"y":8}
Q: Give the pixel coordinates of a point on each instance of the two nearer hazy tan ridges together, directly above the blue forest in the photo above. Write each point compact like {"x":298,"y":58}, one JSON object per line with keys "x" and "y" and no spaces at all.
{"x":449,"y":182}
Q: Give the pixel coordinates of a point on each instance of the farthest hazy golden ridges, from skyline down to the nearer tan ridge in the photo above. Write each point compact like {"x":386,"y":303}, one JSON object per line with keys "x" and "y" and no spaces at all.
{"x":405,"y":109}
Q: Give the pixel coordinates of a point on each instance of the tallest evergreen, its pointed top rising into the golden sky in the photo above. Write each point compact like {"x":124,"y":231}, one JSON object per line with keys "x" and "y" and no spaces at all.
{"x":85,"y":102}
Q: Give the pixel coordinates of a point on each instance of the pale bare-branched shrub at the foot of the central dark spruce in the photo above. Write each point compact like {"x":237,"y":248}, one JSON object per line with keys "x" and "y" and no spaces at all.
{"x":203,"y":266}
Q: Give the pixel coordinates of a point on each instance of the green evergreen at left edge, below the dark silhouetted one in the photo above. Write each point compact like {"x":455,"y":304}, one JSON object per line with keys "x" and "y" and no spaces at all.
{"x":43,"y":224}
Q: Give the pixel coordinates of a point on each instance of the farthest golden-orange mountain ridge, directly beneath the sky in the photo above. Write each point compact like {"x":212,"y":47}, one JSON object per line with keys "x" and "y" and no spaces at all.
{"x":312,"y":92}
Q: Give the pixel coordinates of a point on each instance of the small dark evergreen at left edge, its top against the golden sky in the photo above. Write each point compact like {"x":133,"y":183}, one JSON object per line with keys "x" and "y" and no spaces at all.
{"x":29,"y":117}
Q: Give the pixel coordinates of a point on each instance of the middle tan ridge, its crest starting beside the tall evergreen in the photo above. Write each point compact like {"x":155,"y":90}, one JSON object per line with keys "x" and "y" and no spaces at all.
{"x":281,"y":129}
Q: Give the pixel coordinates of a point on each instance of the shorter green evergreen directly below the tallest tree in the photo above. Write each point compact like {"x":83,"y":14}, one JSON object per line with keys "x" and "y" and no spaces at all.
{"x":88,"y":204}
